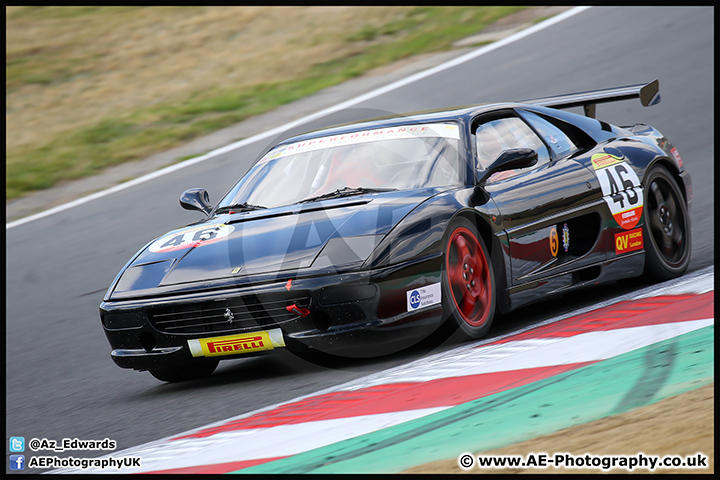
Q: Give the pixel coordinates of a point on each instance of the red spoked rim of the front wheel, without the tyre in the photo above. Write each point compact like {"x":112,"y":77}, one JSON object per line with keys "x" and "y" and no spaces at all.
{"x":469,"y":277}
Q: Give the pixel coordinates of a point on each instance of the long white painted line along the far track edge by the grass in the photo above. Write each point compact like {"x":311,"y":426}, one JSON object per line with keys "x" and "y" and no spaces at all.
{"x":278,"y":130}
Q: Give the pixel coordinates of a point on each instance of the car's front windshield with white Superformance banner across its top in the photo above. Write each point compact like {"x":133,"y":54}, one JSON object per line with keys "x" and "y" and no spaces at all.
{"x":393,"y":158}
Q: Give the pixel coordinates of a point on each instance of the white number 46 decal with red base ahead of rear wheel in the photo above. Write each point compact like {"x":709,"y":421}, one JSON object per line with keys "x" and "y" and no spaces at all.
{"x":621,"y":188}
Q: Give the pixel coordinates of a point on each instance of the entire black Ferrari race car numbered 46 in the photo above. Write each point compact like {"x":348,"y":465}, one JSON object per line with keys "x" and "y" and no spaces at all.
{"x":362,"y":240}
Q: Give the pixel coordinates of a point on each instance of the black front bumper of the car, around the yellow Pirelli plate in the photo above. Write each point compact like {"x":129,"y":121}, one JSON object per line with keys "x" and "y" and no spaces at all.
{"x":357,"y":314}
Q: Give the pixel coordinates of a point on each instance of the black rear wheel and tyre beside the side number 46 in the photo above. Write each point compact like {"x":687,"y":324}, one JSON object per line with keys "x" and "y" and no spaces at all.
{"x":666,"y":229}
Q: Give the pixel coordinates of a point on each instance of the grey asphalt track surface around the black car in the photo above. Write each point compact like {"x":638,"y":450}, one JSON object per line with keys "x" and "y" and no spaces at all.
{"x":60,"y":381}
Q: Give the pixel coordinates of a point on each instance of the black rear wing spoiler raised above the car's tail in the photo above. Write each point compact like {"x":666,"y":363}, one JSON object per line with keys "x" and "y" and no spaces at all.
{"x":648,"y":93}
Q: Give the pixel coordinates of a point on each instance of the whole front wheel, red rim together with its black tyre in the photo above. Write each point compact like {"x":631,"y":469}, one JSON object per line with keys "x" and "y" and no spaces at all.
{"x":468,"y":280}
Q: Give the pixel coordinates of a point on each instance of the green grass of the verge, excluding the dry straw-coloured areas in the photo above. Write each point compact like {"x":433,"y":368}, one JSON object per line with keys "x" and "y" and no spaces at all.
{"x":159,"y":127}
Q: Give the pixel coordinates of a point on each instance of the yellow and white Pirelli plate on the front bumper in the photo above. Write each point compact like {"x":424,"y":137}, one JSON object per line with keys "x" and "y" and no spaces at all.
{"x":234,"y":344}
